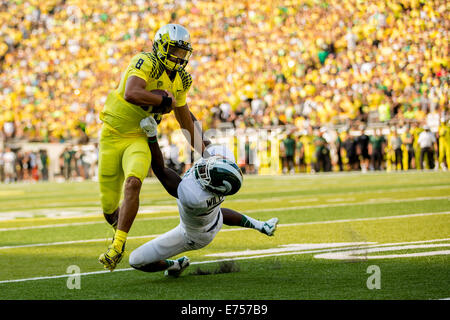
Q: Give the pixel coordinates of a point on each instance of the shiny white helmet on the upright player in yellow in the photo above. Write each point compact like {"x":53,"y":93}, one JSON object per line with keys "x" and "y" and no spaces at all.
{"x":172,"y":46}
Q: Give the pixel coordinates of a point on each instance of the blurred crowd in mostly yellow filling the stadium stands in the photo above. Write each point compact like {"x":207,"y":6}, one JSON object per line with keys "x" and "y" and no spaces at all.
{"x":301,"y":64}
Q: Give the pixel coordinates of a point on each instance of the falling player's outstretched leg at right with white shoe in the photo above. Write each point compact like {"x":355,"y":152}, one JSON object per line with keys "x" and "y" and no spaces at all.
{"x":234,"y":218}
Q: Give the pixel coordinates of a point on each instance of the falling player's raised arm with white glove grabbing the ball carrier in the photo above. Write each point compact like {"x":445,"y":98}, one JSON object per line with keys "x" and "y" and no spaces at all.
{"x":168,"y":177}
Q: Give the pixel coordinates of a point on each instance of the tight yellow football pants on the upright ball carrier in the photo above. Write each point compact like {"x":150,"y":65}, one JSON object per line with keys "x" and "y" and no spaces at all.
{"x":119,"y":158}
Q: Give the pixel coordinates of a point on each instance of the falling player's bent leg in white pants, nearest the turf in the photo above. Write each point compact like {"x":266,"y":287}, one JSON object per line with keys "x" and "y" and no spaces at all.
{"x":153,"y":255}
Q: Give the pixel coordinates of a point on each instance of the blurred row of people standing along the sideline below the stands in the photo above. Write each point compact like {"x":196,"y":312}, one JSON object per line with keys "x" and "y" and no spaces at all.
{"x":315,"y":150}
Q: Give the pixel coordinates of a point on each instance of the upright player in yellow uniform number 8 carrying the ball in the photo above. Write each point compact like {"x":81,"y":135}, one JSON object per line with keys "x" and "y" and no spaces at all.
{"x":124,"y":154}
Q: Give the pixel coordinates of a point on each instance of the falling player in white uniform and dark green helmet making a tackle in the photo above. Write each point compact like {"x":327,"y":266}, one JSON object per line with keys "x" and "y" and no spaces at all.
{"x":199,"y":195}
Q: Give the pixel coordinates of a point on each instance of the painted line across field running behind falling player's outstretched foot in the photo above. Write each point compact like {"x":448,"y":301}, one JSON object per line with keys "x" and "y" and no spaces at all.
{"x":235,"y":229}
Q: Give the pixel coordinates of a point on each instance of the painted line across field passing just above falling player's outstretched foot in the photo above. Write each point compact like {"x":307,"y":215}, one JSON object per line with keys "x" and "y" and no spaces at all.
{"x":367,"y":202}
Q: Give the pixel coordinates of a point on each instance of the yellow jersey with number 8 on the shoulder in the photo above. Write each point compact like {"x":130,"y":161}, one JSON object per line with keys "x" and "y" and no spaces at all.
{"x":124,"y":117}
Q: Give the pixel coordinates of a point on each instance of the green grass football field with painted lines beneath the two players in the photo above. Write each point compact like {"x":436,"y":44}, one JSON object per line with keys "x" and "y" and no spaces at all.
{"x":340,"y":236}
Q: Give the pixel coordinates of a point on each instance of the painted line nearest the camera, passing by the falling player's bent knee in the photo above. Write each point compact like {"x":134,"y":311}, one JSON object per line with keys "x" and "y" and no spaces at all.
{"x":208,"y":261}
